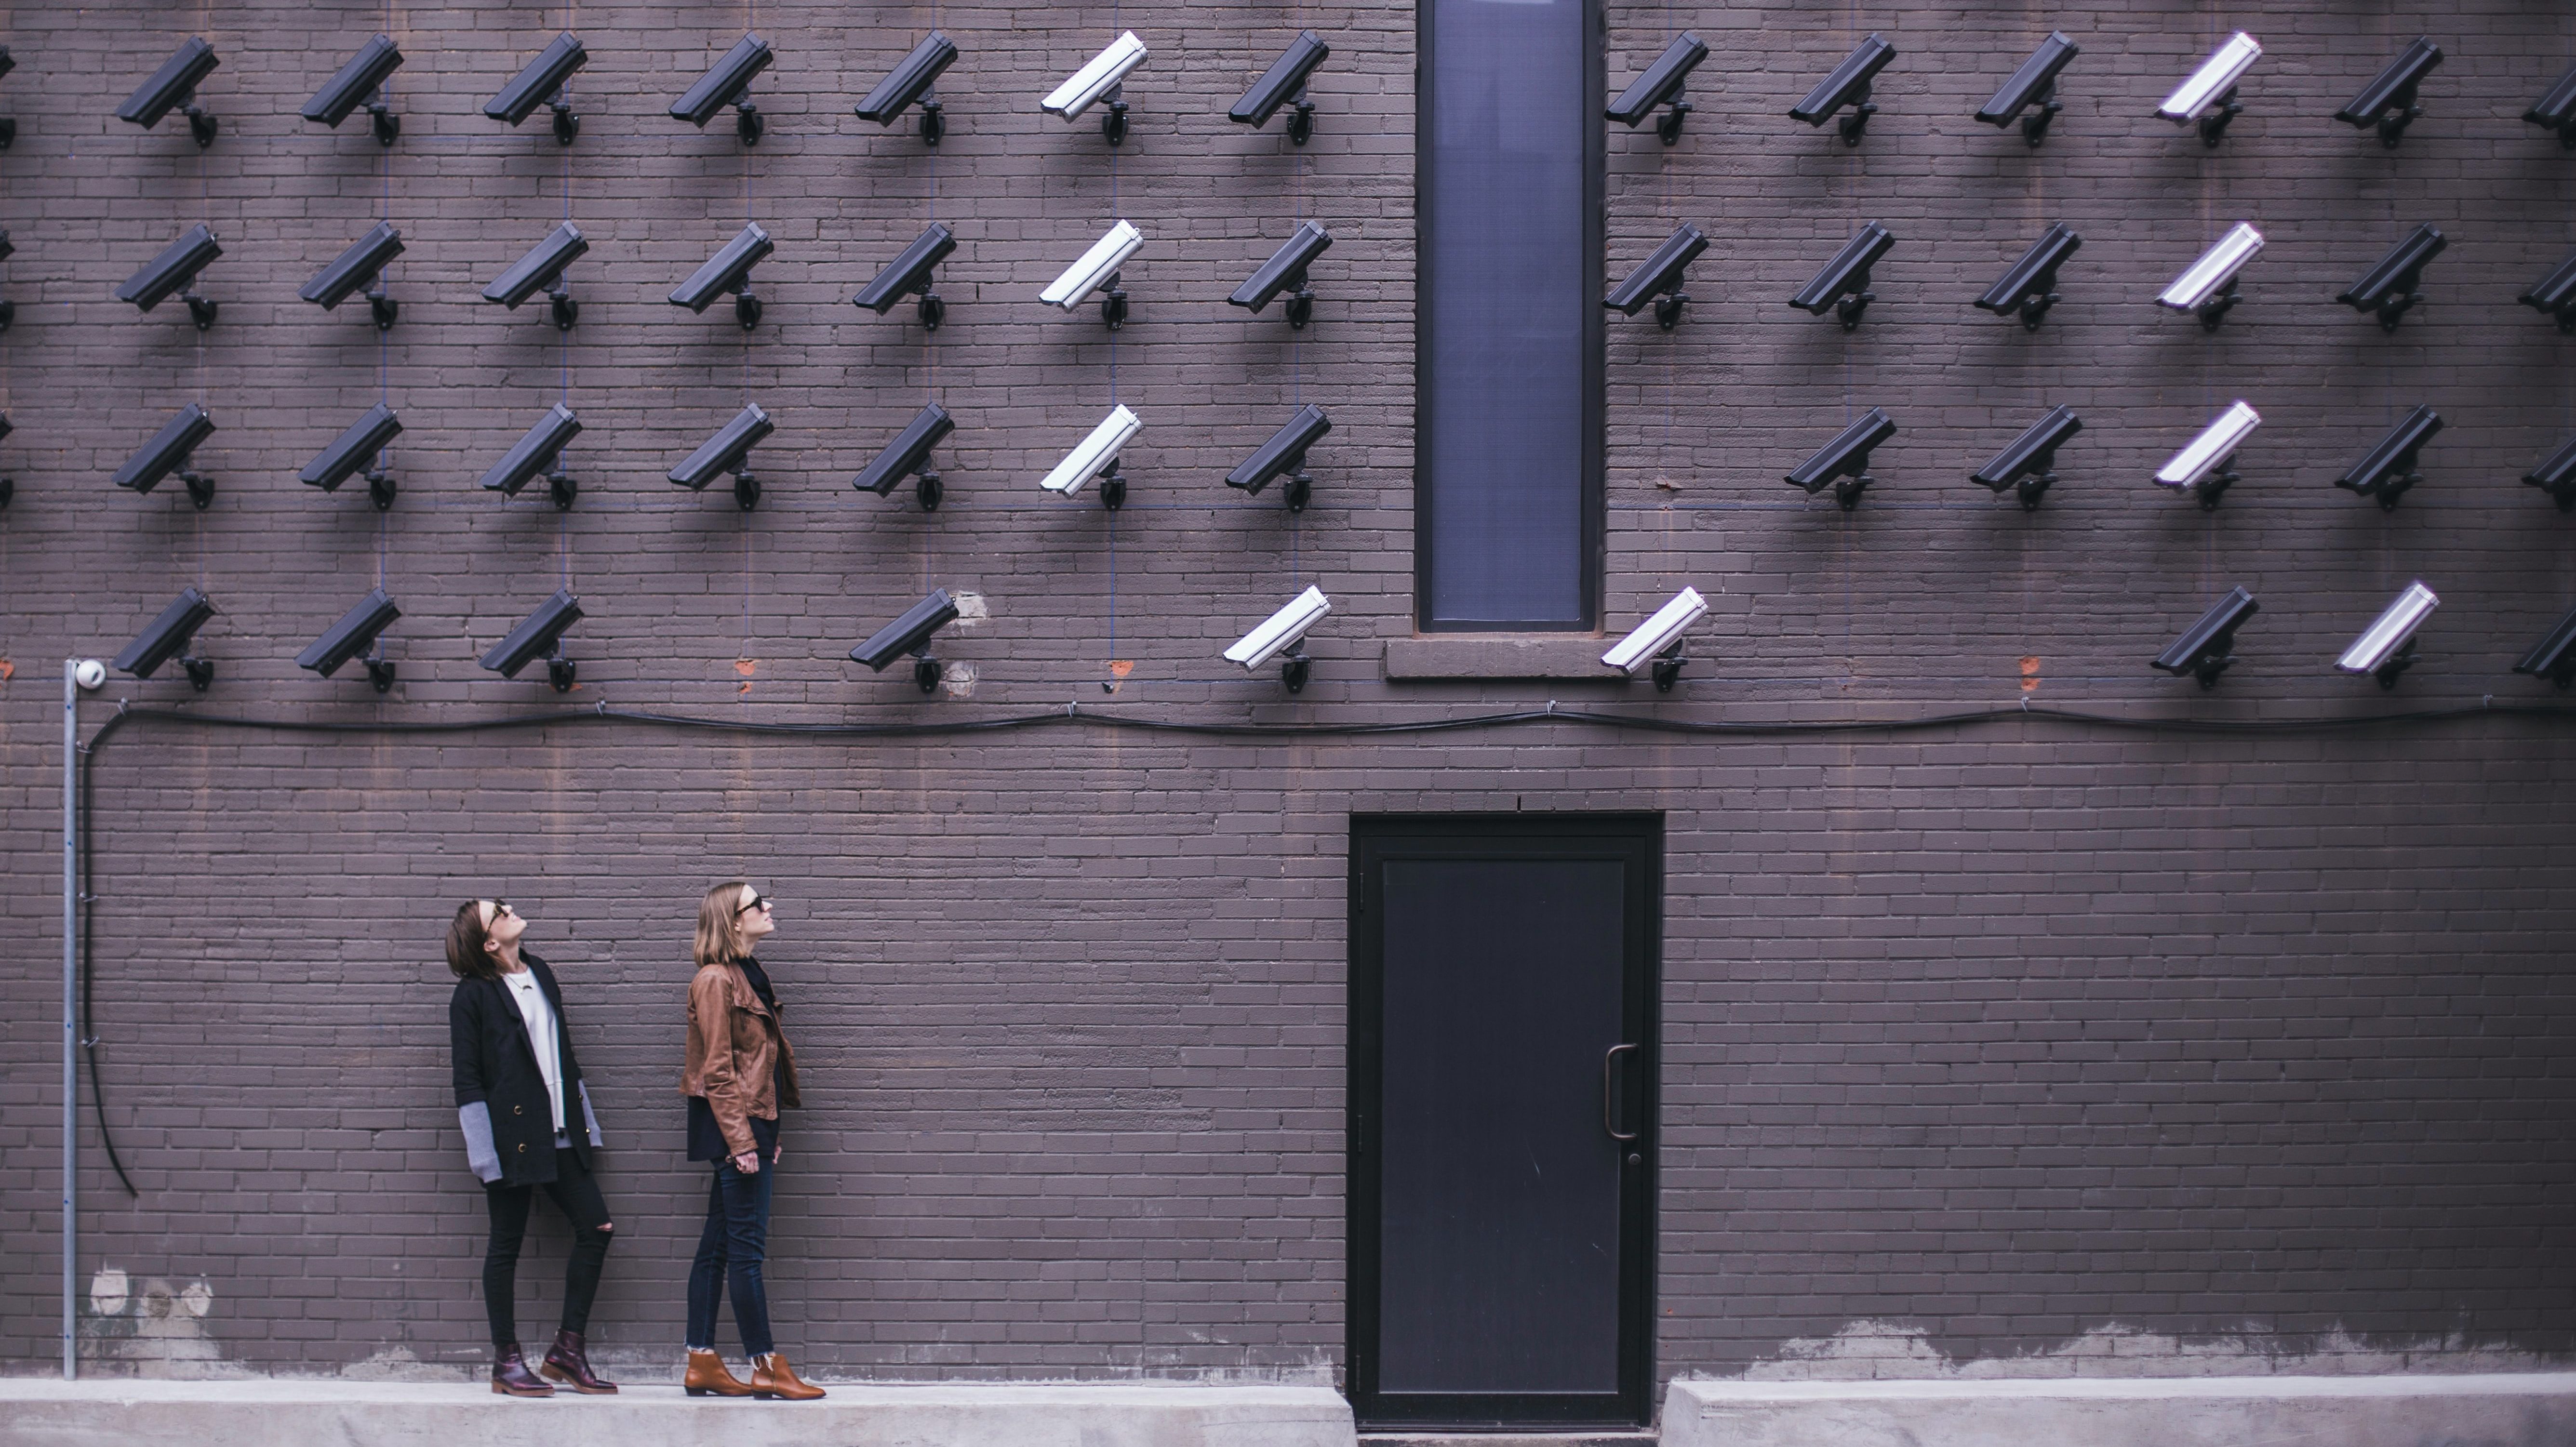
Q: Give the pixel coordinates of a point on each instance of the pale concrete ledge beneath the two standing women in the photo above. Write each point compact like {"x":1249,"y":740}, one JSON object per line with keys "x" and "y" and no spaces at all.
{"x":867,"y":1415}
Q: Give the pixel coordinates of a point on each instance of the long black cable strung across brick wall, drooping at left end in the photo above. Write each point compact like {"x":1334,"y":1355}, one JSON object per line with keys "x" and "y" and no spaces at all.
{"x":1099,"y":720}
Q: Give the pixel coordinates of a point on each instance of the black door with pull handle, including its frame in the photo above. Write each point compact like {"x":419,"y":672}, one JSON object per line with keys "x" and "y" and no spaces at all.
{"x":1503,"y":1119}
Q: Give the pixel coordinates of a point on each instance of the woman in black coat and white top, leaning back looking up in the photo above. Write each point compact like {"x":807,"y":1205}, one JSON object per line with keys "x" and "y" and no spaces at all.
{"x":529,"y":1126}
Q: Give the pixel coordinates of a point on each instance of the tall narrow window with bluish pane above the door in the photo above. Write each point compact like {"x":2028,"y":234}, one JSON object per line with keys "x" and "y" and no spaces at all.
{"x":1508,"y":498}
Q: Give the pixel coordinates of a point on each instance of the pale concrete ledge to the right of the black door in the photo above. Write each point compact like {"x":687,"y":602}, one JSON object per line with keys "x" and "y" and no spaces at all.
{"x":2508,"y":1410}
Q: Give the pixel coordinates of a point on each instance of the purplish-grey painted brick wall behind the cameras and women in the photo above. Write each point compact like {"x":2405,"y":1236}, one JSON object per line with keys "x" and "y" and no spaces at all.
{"x":2008,"y":1034}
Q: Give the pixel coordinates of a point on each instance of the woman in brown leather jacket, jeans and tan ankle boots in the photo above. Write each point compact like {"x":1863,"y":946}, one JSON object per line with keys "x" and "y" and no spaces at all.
{"x":741,"y":1072}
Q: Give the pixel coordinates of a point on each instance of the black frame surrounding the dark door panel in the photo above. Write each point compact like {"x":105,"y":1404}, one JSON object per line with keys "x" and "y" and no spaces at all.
{"x":1634,"y":841}
